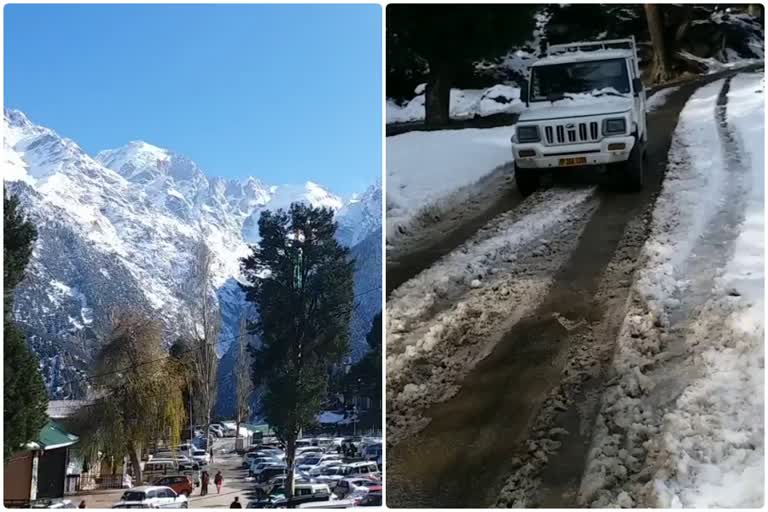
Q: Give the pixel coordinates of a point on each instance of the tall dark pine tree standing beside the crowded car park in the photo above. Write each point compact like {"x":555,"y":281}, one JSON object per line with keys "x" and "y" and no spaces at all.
{"x":300,"y":281}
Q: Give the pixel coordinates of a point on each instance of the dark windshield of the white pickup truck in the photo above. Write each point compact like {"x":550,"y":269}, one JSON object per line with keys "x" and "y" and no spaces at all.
{"x":558,"y":81}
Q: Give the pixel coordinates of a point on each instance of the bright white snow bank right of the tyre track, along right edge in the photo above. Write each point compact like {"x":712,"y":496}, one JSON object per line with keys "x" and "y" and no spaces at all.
{"x":715,"y":434}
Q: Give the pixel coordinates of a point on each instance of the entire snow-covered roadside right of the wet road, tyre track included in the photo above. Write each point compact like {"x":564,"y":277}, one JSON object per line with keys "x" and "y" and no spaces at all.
{"x":682,"y":425}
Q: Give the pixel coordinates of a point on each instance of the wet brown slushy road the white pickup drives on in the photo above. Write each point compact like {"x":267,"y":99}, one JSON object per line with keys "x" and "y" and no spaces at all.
{"x":539,"y":386}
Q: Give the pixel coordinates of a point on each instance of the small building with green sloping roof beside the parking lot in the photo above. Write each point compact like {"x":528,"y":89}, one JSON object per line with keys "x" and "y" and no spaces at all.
{"x":39,"y":469}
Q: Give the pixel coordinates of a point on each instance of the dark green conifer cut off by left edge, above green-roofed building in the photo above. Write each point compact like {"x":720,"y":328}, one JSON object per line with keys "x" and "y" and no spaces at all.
{"x":25,"y":399}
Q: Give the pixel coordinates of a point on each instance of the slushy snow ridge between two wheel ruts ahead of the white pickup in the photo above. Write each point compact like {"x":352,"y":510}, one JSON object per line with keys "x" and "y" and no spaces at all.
{"x":444,"y":321}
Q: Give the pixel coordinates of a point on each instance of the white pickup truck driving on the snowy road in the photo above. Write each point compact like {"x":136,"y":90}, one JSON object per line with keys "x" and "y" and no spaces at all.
{"x":586,"y":107}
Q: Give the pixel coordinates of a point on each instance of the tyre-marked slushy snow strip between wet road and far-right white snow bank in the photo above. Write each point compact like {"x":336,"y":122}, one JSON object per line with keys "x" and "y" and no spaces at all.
{"x":691,"y":242}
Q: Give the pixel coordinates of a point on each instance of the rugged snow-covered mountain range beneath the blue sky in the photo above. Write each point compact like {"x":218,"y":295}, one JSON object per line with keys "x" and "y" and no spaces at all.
{"x":117,"y":230}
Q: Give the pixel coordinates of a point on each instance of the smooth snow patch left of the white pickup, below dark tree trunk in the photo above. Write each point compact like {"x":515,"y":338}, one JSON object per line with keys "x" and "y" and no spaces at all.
{"x":431,"y":172}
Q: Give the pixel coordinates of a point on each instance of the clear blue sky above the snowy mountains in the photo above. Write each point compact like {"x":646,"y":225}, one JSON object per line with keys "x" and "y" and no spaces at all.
{"x":286,"y":93}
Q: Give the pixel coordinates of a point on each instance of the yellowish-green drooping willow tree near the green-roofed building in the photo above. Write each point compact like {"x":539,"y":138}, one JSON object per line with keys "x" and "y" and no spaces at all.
{"x":139,"y":396}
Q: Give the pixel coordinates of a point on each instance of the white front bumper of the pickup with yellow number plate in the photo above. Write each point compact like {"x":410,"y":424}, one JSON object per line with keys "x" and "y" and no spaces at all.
{"x":550,"y":157}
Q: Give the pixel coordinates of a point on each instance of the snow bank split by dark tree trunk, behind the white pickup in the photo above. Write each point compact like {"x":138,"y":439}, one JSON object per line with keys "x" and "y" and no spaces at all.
{"x":465,"y":103}
